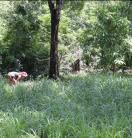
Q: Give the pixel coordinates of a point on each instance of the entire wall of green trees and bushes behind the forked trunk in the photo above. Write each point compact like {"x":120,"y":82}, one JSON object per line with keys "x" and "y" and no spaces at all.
{"x":102,"y":30}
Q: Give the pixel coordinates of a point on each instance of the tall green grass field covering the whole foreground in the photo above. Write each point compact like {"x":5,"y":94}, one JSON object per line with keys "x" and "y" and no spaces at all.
{"x":91,"y":106}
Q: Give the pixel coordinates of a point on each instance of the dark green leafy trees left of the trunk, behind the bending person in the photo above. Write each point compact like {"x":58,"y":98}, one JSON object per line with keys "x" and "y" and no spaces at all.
{"x":24,"y":40}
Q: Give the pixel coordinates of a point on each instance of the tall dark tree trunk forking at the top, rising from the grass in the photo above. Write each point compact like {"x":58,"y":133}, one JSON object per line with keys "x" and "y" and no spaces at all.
{"x":55,"y":18}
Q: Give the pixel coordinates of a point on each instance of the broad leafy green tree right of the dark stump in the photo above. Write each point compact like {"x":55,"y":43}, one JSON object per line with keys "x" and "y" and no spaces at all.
{"x":107,"y":33}
